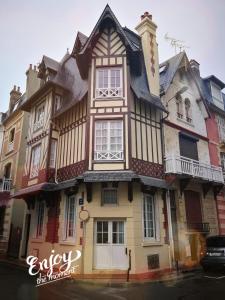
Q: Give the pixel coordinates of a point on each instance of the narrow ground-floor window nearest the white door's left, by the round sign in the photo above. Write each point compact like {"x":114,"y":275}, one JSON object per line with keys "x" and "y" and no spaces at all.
{"x":70,"y":218}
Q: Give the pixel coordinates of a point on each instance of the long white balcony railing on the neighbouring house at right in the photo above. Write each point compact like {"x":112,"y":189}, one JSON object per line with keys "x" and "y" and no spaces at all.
{"x":183,"y":165}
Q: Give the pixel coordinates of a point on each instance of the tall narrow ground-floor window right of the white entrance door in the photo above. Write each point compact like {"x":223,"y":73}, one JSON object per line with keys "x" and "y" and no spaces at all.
{"x":149,"y":217}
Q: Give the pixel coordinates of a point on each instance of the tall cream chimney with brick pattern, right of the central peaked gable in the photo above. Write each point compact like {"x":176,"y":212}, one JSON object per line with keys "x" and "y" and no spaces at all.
{"x":147,"y":30}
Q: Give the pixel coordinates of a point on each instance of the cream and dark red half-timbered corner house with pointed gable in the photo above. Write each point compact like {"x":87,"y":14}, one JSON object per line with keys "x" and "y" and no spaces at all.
{"x":94,"y":160}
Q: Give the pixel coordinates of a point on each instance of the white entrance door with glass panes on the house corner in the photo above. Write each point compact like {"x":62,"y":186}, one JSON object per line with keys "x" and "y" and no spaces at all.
{"x":110,"y":249}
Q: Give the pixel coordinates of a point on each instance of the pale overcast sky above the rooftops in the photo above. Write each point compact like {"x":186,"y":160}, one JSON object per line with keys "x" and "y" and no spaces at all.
{"x":31,"y":28}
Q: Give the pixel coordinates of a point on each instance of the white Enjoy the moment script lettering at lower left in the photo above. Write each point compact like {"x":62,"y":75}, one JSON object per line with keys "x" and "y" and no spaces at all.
{"x":45,"y":269}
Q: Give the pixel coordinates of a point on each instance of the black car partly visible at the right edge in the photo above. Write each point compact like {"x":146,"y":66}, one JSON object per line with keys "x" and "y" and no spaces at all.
{"x":215,"y":253}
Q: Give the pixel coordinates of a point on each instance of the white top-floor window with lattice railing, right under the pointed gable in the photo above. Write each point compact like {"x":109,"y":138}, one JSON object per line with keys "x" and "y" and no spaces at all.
{"x":109,"y":83}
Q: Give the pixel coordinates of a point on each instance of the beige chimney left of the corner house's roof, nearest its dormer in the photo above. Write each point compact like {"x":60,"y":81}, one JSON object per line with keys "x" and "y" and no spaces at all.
{"x":33,"y":82}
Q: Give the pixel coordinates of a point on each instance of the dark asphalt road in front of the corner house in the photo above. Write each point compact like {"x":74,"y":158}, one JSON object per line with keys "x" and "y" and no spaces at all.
{"x":17,"y":284}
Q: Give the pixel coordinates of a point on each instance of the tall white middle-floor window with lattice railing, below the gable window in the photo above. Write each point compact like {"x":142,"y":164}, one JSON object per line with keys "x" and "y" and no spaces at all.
{"x":109,"y":140}
